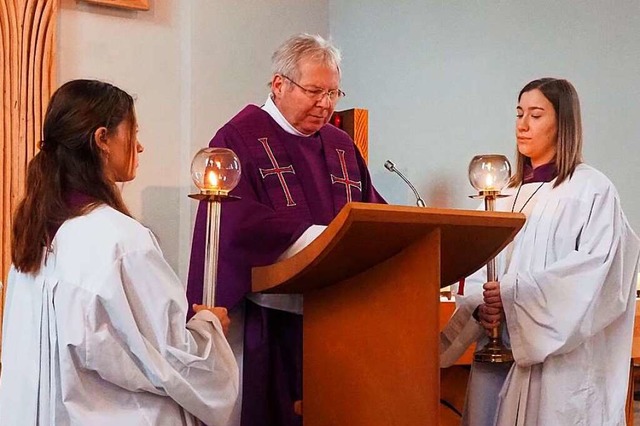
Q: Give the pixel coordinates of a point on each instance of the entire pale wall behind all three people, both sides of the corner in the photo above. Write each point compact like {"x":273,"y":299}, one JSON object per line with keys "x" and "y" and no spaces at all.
{"x":439,"y":78}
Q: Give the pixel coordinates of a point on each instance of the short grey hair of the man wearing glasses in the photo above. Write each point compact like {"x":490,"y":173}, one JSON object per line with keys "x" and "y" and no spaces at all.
{"x":286,"y":58}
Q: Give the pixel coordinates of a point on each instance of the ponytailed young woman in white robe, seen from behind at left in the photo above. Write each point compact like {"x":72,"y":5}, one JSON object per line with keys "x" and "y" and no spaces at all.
{"x":94,"y":329}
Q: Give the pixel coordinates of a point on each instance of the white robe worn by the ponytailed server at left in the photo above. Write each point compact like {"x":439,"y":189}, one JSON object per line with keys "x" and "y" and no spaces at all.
{"x":98,"y":336}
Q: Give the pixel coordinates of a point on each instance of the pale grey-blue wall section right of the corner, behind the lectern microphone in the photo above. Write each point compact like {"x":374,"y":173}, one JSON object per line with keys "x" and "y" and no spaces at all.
{"x":440,"y":80}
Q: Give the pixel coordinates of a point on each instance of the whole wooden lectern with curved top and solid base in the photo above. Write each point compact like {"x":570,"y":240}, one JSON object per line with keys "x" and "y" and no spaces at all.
{"x":371,"y":285}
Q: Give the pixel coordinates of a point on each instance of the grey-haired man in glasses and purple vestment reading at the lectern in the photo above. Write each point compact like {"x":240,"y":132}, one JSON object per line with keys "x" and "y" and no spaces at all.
{"x":297,"y":173}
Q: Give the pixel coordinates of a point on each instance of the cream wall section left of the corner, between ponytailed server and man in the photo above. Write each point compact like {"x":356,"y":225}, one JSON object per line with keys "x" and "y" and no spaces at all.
{"x":191,"y":64}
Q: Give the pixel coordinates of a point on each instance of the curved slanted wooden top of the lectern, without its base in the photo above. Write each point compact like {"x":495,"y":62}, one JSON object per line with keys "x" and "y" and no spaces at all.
{"x":363,"y":235}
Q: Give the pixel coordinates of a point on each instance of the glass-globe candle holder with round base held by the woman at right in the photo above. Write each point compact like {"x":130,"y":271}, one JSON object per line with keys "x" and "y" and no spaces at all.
{"x":489,"y":174}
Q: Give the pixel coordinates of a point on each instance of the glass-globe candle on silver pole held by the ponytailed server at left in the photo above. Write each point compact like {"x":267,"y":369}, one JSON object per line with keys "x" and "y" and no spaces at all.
{"x":216,"y":172}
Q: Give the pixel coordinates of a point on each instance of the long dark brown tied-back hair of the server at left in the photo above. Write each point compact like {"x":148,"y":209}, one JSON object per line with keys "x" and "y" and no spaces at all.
{"x":69,"y":161}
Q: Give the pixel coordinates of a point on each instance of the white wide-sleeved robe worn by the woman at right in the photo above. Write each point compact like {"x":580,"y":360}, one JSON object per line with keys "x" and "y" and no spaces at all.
{"x":568,"y":288}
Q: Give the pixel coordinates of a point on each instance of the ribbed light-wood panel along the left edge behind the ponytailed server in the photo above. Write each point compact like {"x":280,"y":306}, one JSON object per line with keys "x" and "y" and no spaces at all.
{"x":27,"y":79}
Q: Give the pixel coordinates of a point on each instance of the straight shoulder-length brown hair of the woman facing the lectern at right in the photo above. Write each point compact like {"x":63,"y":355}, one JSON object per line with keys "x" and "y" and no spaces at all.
{"x":564,"y":98}
